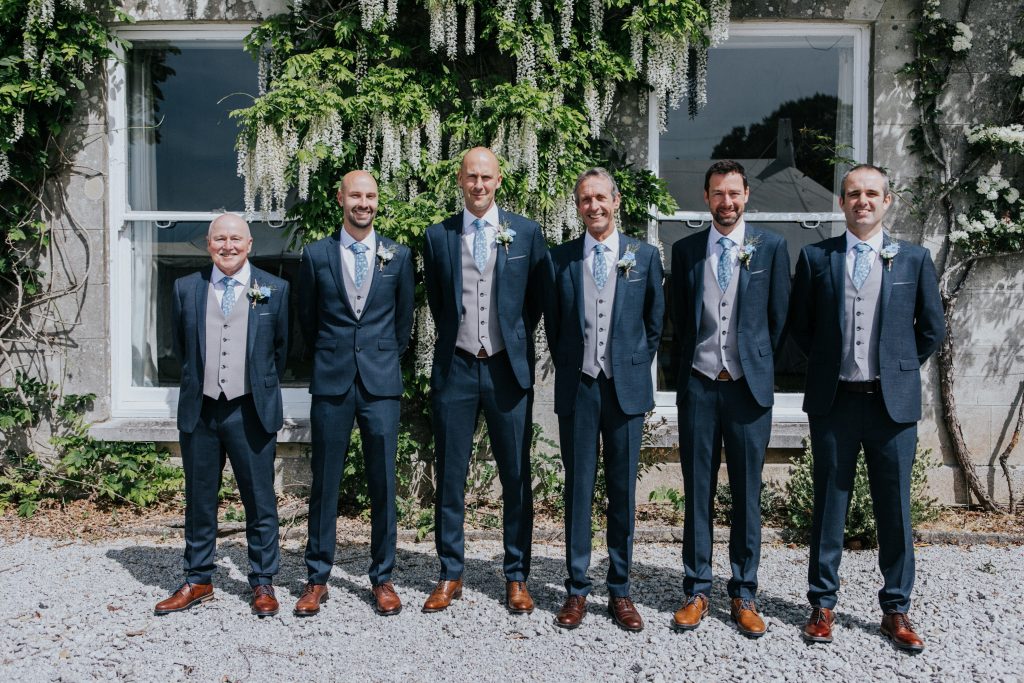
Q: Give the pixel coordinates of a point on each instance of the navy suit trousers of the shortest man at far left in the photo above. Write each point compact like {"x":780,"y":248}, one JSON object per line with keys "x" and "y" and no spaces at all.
{"x":231,"y":428}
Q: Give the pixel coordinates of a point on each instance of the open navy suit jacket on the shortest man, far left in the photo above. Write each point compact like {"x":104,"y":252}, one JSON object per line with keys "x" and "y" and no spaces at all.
{"x":267,"y":346}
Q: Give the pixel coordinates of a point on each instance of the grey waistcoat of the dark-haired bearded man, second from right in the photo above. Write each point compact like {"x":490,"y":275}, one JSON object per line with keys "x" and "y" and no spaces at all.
{"x":718,"y":347}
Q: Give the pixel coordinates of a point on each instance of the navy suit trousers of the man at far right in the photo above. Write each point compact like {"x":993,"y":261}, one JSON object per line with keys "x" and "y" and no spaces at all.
{"x":860,"y":420}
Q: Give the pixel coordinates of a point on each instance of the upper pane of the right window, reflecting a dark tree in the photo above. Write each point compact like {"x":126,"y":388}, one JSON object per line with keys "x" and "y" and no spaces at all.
{"x":761,"y":94}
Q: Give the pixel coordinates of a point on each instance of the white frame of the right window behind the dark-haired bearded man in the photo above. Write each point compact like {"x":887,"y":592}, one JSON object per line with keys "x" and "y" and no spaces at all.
{"x":788,"y":406}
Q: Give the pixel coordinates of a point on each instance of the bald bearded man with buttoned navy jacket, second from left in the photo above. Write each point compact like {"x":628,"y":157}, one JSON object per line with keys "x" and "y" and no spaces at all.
{"x":356,"y":310}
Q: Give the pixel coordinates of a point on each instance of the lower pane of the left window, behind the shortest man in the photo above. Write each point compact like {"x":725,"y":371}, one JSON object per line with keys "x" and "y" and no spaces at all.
{"x":162,"y":255}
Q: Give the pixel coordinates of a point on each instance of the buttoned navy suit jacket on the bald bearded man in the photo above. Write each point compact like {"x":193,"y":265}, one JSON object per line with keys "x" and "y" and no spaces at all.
{"x":344,"y":345}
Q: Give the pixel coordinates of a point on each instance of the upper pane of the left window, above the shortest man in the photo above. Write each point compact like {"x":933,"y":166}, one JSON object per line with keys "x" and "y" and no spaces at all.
{"x":182,"y":141}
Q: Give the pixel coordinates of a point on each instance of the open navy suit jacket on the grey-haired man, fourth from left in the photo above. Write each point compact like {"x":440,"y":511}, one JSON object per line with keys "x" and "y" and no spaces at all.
{"x":637,"y":317}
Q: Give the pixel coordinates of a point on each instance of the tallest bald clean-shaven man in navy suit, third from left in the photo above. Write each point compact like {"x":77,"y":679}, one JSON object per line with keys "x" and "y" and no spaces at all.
{"x":486,"y":271}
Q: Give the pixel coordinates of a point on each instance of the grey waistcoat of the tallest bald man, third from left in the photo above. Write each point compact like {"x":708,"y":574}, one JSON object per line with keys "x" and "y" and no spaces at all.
{"x":480,"y":327}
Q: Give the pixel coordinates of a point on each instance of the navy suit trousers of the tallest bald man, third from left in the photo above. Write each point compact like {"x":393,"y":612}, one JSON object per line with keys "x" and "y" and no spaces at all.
{"x":487,"y":386}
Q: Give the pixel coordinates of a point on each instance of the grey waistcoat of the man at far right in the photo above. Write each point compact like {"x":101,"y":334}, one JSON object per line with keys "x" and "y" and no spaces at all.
{"x":861,"y":327}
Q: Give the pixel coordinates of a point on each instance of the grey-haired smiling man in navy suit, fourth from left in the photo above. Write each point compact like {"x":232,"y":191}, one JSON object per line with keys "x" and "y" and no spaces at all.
{"x":604,"y":325}
